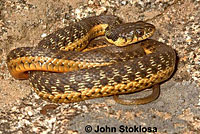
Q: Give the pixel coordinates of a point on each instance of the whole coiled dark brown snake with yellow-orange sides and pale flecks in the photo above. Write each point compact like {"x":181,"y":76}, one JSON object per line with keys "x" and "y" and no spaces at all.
{"x":64,"y":68}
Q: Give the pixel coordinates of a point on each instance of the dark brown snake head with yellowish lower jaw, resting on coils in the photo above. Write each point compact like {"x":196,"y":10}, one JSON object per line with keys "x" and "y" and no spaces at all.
{"x":128,"y":33}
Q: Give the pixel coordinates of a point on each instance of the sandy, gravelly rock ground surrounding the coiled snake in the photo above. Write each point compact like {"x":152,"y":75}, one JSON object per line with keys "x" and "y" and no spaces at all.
{"x":26,"y":22}
